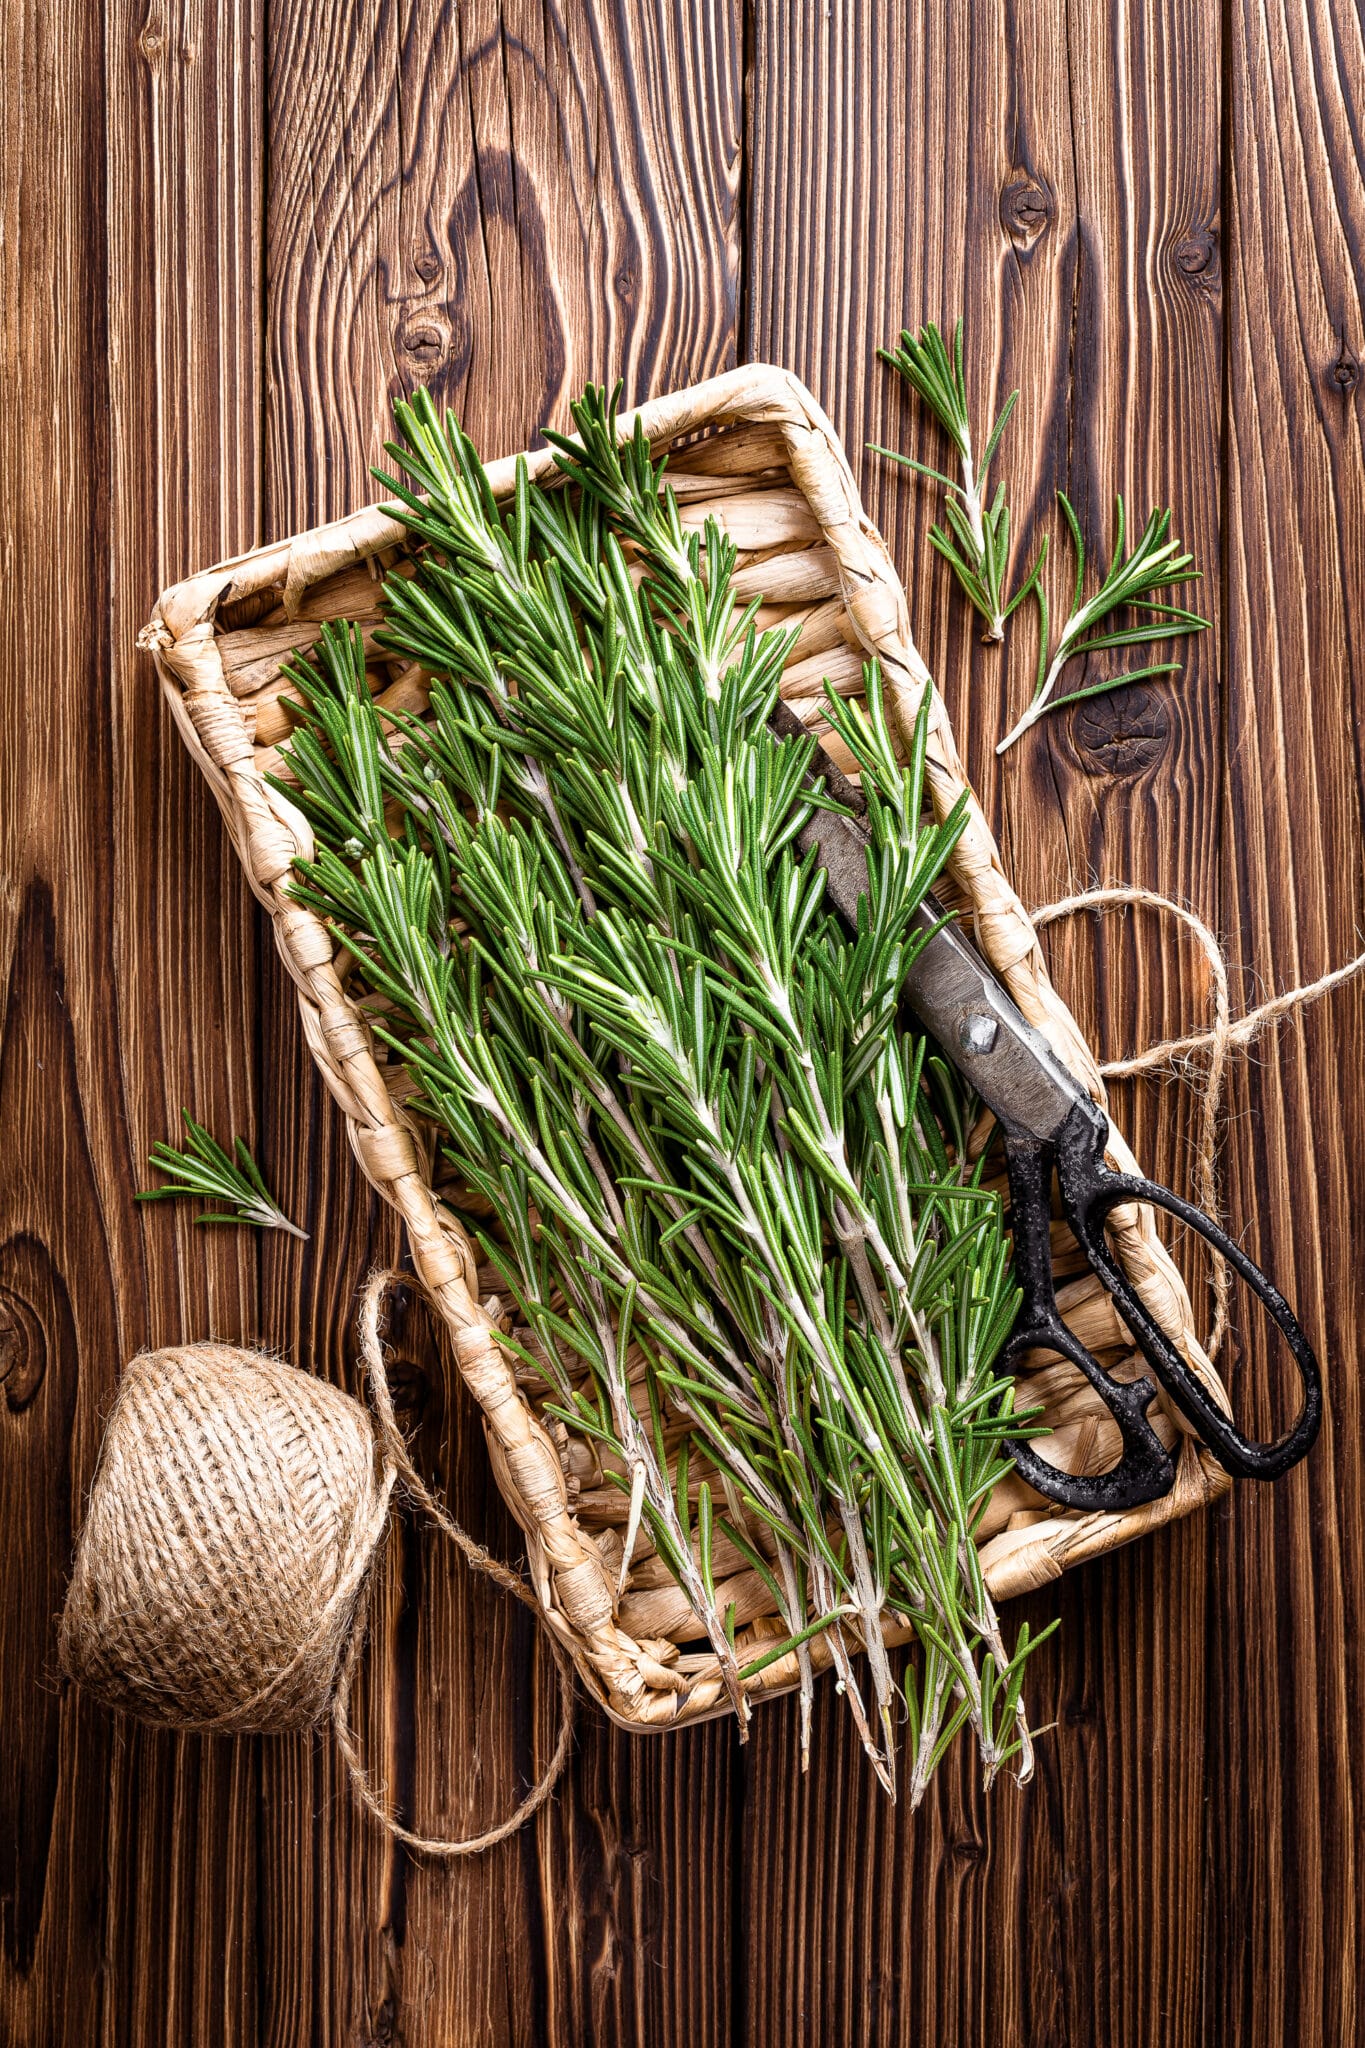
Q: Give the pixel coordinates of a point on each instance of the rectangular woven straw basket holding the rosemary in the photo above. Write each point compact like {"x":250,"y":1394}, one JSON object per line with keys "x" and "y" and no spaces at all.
{"x":758,"y":454}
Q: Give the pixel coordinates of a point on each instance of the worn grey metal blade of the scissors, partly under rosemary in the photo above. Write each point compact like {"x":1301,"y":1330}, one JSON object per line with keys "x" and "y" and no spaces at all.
{"x":951,"y":988}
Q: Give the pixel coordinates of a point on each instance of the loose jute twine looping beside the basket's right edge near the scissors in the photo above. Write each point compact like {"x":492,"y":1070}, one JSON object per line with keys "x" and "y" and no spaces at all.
{"x":1219,"y":1041}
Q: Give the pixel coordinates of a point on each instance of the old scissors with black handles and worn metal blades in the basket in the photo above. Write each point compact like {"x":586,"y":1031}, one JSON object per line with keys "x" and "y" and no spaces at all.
{"x":1053,"y":1125}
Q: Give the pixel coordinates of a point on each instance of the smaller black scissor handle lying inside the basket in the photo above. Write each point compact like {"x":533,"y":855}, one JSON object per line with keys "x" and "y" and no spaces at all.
{"x":1145,"y":1469}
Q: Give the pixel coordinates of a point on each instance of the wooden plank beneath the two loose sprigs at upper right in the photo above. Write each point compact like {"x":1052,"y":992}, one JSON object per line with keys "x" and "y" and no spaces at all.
{"x":1047,"y":173}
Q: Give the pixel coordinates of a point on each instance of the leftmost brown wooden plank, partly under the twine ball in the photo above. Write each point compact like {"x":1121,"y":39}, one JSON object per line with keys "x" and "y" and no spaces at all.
{"x":132,"y":261}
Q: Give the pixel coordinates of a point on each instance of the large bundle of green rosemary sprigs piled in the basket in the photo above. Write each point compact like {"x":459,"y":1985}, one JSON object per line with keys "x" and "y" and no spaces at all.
{"x":723,"y":1181}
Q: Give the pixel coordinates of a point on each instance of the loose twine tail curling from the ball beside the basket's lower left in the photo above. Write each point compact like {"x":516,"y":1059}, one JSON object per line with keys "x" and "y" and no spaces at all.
{"x":412,"y":1484}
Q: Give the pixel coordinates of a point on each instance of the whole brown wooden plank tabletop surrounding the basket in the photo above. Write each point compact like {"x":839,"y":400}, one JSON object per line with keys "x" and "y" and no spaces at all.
{"x":232,"y":232}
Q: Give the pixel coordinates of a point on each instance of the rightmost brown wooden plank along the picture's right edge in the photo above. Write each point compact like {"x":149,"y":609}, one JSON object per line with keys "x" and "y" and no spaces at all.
{"x":1284,"y":1932}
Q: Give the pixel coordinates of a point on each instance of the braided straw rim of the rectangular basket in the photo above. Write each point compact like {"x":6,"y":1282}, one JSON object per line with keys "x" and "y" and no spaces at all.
{"x":269,"y":833}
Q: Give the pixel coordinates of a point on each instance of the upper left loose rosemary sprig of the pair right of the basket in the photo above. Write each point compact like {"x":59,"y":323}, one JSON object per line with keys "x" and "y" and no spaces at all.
{"x":977,"y":544}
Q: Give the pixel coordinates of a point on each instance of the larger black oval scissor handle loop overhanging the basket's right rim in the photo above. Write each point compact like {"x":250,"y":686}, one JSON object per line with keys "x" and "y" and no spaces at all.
{"x":1090,"y":1191}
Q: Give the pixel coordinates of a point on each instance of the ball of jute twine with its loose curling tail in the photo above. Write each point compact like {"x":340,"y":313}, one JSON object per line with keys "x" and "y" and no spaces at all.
{"x":232,"y":1529}
